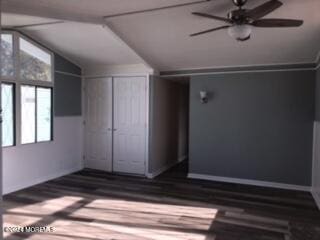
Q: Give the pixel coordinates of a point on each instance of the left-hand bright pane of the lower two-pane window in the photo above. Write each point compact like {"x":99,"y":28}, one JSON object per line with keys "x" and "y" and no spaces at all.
{"x":28,"y":109}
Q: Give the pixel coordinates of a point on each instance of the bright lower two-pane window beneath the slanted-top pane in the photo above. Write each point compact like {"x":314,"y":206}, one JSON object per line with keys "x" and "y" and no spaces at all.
{"x":36,"y":114}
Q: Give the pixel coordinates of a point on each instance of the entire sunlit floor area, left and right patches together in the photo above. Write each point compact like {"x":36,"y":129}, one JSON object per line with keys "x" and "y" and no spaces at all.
{"x":113,"y":218}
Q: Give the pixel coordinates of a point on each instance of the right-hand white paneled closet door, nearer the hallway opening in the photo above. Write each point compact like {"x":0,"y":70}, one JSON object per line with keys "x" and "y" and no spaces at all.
{"x":130,"y":116}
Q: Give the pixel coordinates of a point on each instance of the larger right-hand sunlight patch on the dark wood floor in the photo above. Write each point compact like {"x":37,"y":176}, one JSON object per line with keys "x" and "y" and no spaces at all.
{"x":151,"y":220}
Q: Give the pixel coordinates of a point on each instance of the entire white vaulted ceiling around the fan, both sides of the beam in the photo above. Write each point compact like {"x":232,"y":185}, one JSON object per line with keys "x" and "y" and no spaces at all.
{"x":161,"y":38}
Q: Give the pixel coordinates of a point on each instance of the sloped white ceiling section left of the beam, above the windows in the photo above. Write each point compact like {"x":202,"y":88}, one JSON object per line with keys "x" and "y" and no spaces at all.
{"x":85,"y":44}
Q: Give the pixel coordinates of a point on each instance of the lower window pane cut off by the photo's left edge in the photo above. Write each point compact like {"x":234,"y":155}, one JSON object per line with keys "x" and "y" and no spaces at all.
{"x":7,"y":114}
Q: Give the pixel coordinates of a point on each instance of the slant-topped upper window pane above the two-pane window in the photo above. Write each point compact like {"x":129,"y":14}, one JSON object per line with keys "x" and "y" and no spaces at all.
{"x":35,"y":64}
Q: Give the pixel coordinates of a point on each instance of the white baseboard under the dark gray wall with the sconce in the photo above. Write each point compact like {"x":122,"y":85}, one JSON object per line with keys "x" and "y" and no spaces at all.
{"x":250,"y":182}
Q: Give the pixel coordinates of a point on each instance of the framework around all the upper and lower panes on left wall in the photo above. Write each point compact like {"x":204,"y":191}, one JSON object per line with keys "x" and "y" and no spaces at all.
{"x":18,"y":82}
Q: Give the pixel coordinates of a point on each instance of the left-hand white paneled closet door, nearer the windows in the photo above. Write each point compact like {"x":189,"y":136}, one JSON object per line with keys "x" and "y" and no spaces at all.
{"x":99,"y":124}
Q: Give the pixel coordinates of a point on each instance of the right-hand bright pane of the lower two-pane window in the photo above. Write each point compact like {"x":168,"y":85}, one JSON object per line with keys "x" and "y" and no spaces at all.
{"x":43,"y":114}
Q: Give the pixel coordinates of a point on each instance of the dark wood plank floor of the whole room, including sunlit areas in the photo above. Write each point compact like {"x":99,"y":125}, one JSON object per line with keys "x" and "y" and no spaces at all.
{"x":92,"y":205}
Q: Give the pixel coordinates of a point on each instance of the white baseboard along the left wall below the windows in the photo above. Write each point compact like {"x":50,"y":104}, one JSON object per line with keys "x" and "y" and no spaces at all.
{"x":36,"y":181}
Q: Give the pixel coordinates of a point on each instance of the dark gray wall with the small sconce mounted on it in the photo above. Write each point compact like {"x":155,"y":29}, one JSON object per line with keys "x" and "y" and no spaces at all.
{"x":256,"y":126}
